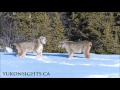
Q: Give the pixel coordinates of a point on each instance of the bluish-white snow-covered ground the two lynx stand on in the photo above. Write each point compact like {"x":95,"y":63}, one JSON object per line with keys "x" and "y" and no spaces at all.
{"x":57,"y":65}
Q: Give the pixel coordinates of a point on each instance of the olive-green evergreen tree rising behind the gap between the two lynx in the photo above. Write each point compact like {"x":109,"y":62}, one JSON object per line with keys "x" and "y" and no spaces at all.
{"x":55,"y":34}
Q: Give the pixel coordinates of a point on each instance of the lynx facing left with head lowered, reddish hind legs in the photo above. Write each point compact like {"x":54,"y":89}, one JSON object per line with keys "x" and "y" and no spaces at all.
{"x":76,"y":47}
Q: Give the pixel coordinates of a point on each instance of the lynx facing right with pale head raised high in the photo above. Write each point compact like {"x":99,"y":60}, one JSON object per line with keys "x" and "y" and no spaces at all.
{"x":35,"y":46}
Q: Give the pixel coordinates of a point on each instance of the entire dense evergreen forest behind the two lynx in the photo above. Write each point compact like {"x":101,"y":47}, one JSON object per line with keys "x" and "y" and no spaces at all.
{"x":101,"y":28}
